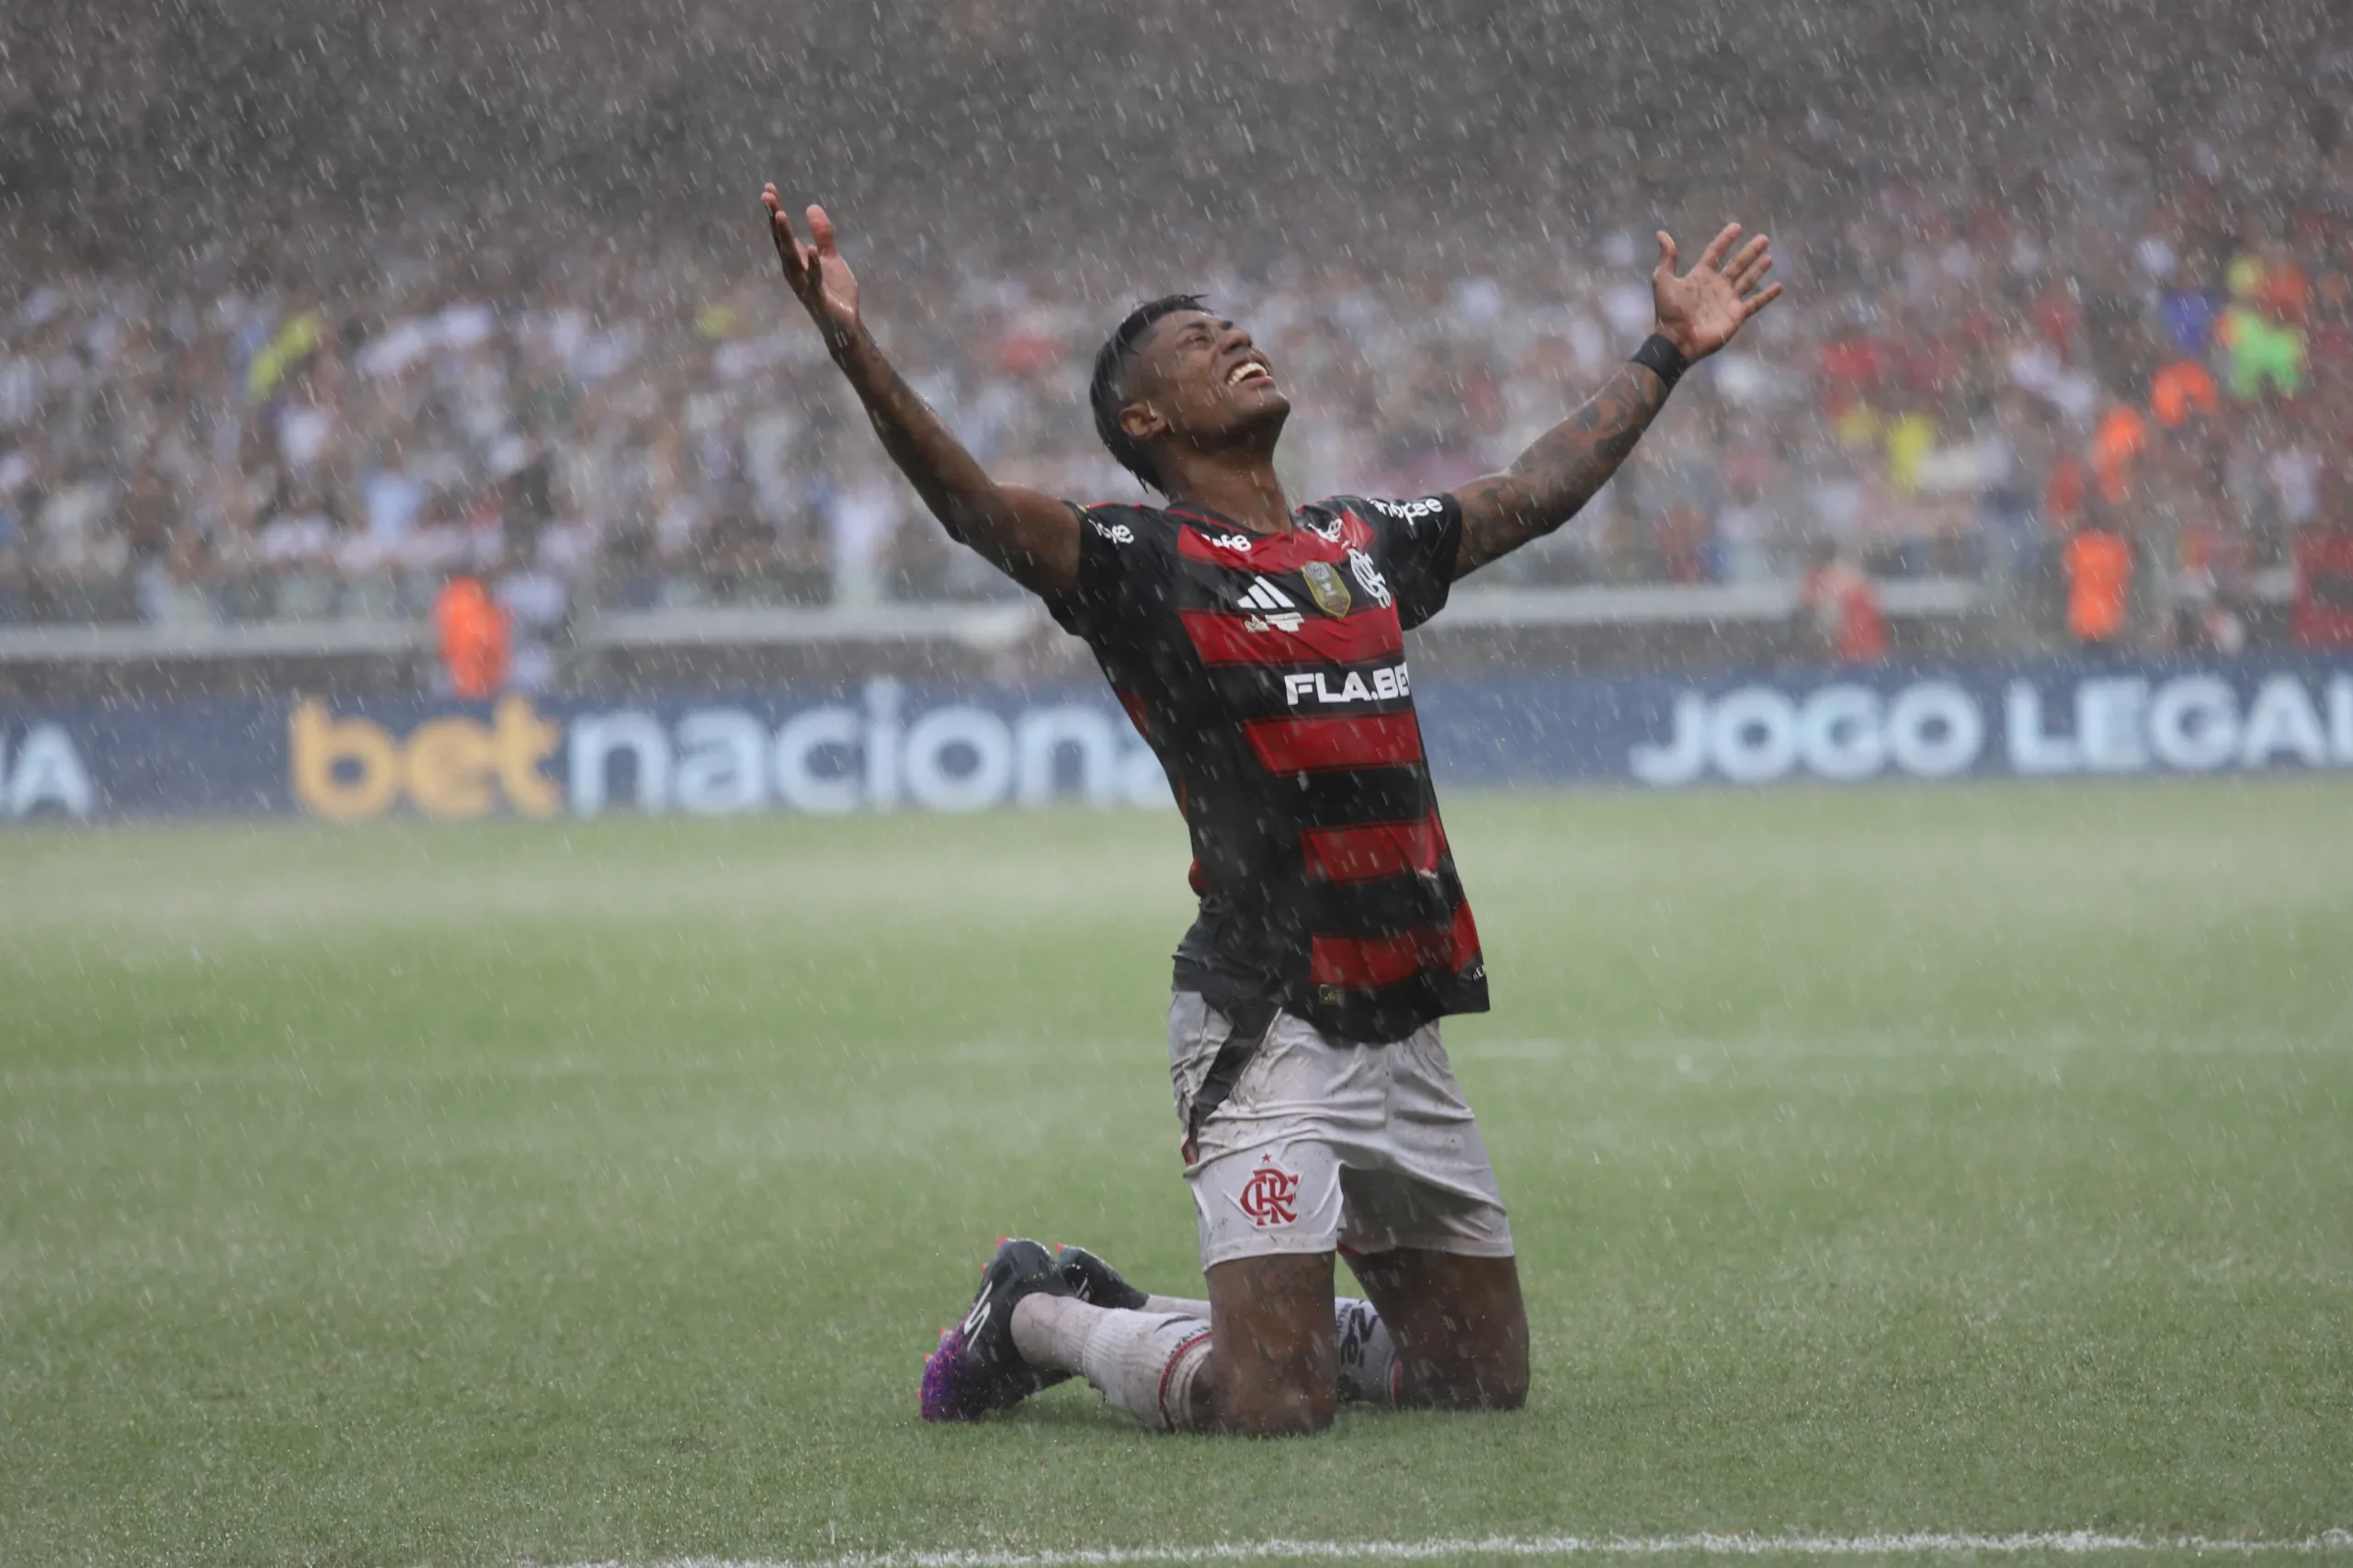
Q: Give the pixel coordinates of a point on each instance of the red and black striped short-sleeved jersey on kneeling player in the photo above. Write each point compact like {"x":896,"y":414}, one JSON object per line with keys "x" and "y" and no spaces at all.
{"x":1269,"y":677}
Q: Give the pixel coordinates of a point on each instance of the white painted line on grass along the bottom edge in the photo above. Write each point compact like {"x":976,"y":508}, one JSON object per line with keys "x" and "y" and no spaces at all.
{"x":2062,"y":1543}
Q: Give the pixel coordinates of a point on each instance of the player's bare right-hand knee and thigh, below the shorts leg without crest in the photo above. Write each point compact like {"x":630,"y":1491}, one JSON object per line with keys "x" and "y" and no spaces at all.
{"x":1460,"y":1327}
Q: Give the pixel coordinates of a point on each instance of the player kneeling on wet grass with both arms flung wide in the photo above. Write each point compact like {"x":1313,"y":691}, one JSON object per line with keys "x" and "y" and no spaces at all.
{"x":1260,"y":653}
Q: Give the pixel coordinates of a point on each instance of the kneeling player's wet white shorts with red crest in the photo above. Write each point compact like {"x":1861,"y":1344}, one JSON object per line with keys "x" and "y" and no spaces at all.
{"x":1331,"y":1148}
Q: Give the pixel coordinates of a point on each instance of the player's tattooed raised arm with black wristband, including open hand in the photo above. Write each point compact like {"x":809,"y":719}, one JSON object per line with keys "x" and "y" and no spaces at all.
{"x":1561,"y":472}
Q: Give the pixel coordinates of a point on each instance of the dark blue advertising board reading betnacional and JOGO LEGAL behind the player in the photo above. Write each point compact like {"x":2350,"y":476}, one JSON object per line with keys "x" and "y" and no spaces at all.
{"x":888,"y":748}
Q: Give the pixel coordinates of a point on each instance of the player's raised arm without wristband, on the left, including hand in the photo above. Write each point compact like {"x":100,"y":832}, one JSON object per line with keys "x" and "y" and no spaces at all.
{"x":1029,"y":536}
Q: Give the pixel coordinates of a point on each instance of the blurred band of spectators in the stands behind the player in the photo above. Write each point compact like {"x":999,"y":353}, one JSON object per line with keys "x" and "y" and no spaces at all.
{"x":1961,"y":380}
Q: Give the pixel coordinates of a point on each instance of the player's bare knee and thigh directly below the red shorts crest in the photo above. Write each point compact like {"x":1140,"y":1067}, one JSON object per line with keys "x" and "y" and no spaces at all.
{"x":1274,"y":1364}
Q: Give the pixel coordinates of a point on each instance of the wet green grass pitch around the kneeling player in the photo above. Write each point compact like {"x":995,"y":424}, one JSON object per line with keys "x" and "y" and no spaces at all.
{"x":1881,"y":1162}
